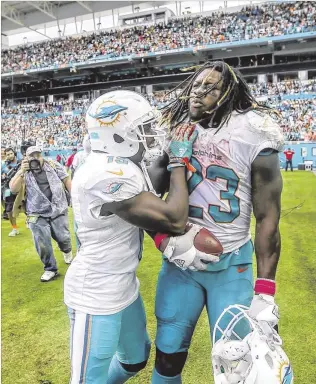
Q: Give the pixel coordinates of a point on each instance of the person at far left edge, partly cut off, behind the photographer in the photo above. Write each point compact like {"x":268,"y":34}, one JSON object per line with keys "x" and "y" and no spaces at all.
{"x":8,"y":167}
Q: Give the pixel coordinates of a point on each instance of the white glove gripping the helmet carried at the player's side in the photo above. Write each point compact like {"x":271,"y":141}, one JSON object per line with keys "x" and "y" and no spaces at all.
{"x":264,"y":309}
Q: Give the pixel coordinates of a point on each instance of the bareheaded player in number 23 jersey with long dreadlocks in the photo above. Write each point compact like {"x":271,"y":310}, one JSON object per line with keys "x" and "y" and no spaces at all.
{"x":236,"y":172}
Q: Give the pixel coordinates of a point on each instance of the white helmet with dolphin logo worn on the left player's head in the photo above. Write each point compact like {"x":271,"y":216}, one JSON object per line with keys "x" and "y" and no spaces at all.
{"x":119,"y":121}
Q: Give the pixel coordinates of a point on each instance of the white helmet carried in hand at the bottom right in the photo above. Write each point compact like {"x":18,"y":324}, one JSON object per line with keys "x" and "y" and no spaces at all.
{"x":253,"y":359}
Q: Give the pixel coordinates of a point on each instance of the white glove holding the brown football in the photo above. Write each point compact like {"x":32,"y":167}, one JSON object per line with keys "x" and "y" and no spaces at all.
{"x":180,"y":250}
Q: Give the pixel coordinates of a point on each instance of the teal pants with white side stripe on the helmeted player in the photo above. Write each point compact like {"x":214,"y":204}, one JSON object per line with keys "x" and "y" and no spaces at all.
{"x":97,"y":338}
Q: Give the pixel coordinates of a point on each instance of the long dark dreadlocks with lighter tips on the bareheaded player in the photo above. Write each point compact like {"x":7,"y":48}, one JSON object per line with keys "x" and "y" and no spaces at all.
{"x":235,"y":96}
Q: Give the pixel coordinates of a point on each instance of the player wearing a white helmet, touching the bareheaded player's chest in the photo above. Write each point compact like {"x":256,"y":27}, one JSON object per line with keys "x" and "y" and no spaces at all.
{"x":112,"y":198}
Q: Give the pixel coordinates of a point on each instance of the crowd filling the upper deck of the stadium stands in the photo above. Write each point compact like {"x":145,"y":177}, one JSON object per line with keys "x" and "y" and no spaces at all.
{"x":263,"y":20}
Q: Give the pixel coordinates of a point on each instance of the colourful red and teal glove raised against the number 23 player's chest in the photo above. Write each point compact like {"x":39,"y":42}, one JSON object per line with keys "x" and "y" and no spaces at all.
{"x":182,"y":141}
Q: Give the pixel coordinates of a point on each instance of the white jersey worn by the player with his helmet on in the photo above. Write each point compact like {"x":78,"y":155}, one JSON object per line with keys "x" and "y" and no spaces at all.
{"x":102,"y":279}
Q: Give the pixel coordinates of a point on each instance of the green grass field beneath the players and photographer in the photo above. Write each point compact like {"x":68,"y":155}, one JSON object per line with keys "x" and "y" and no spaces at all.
{"x":35,"y":324}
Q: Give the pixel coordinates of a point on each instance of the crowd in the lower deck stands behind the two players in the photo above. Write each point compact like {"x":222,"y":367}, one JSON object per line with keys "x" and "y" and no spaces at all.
{"x":58,"y":128}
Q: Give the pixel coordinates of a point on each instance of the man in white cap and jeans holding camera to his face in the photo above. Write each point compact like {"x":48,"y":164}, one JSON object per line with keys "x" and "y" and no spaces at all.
{"x":44,"y":182}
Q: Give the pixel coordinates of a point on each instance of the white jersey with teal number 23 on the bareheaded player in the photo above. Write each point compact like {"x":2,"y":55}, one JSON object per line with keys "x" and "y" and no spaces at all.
{"x":220,"y":190}
